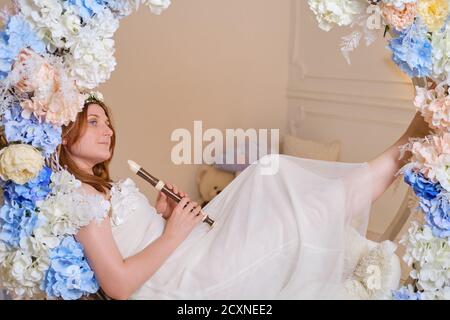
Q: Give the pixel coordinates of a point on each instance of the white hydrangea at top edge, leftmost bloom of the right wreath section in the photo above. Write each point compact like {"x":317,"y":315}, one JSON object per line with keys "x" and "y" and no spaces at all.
{"x":337,"y":12}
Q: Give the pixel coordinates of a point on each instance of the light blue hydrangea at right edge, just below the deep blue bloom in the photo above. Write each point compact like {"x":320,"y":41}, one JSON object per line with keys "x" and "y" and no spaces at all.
{"x":437,"y":215}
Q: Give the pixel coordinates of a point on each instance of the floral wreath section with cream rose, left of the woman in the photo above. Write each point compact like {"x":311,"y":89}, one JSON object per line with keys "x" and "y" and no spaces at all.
{"x":52,"y":54}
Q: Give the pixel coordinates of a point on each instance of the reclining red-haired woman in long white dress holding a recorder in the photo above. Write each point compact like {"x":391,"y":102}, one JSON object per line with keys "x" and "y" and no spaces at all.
{"x":277,"y":236}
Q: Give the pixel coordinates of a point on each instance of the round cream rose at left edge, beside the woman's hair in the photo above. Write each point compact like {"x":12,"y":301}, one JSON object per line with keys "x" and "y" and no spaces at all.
{"x":20,"y":163}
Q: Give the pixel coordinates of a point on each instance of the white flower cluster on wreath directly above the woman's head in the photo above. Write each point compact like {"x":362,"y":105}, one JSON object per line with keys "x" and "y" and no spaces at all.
{"x":89,"y":56}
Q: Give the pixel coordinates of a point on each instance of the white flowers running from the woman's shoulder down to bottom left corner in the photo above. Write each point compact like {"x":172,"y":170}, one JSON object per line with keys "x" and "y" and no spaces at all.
{"x":66,"y":210}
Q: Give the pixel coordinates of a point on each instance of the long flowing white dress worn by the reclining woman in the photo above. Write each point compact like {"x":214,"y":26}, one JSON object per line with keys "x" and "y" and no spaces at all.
{"x":289,"y":235}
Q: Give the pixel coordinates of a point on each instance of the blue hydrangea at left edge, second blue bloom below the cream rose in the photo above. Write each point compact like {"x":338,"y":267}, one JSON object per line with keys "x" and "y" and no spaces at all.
{"x":17,"y":221}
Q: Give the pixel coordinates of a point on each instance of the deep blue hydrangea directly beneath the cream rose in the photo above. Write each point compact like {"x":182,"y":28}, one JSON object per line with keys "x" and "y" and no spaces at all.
{"x":32,"y":191}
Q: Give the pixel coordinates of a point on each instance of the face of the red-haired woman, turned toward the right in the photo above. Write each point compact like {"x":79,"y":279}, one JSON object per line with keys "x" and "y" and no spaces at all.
{"x":93,"y":146}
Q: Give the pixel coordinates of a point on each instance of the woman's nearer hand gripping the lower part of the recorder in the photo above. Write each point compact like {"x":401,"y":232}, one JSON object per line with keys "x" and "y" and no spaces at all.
{"x":185,"y":216}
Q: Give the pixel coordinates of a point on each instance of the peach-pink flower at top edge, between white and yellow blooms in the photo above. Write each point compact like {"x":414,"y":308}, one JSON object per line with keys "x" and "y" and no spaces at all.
{"x":399,"y":18}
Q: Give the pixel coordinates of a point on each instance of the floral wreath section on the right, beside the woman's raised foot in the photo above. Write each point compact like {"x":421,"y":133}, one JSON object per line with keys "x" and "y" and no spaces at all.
{"x":420,"y":46}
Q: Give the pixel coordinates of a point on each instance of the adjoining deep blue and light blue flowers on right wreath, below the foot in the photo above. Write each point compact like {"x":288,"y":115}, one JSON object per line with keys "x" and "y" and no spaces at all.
{"x":433,"y":201}
